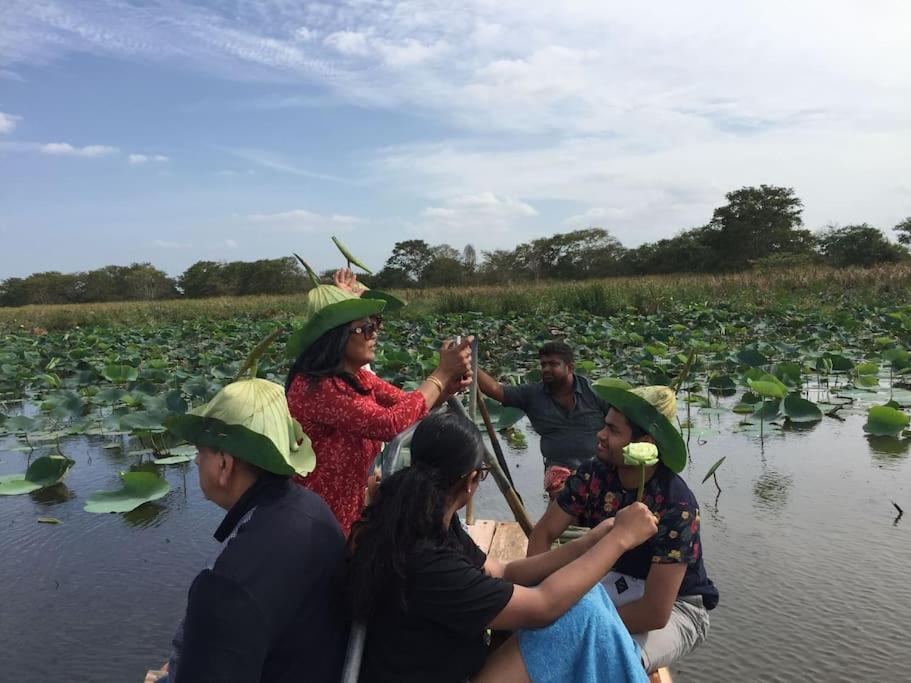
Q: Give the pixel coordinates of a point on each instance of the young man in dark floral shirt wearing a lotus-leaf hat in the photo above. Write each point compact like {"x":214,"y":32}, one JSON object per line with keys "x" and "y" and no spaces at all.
{"x":660,"y":588}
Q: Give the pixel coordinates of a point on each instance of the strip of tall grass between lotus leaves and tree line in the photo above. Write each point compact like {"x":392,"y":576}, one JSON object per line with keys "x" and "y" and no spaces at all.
{"x":811,"y":287}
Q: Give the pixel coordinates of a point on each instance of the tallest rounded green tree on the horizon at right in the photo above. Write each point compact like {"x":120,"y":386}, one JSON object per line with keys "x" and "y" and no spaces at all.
{"x":756,"y":222}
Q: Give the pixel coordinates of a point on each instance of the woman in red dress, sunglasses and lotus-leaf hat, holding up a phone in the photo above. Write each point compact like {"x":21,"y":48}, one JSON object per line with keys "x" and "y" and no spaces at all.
{"x":348,"y":411}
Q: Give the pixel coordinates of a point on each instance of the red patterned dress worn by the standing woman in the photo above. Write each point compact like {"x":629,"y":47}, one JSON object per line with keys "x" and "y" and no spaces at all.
{"x":347,"y":430}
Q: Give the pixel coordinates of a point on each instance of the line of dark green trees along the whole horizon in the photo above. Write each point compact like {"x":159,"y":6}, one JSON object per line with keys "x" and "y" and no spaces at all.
{"x":757,"y":227}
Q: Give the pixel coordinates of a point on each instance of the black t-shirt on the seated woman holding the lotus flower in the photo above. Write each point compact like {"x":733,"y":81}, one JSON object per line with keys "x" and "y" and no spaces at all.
{"x":439,"y":636}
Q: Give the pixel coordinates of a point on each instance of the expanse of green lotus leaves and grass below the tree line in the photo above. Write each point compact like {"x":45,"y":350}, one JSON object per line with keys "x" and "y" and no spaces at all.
{"x":781,"y":351}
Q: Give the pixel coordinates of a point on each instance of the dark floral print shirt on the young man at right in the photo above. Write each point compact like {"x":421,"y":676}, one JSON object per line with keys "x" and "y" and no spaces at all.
{"x":594,"y":493}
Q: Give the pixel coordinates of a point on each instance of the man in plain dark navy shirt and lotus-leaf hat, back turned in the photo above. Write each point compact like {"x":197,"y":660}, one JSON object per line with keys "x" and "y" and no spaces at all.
{"x":268,"y":608}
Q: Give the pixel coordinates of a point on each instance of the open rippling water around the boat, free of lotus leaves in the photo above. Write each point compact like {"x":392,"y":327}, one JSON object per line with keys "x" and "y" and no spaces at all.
{"x":802,"y":542}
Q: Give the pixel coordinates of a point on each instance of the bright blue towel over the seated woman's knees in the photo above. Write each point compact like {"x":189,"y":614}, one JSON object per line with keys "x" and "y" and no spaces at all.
{"x":588,"y":644}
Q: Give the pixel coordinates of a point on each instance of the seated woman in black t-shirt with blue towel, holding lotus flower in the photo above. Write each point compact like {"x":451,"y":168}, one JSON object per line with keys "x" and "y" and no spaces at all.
{"x":428,"y":594}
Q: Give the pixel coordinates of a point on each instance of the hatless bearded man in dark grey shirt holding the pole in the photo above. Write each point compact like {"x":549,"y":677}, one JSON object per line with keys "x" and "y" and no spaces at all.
{"x":562,"y":408}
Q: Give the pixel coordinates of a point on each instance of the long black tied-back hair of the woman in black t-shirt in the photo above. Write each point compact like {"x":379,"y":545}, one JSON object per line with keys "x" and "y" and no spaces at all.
{"x":409,"y":509}
